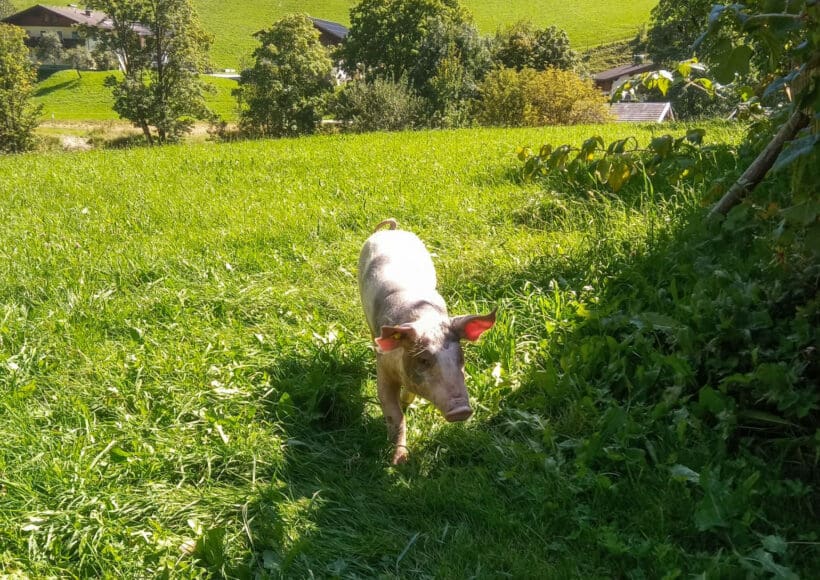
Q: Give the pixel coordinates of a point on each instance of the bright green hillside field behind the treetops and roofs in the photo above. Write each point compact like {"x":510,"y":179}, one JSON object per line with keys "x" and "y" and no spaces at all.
{"x":588,"y":22}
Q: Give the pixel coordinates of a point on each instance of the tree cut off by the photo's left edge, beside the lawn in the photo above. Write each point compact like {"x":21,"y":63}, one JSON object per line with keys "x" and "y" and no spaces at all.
{"x":18,"y":117}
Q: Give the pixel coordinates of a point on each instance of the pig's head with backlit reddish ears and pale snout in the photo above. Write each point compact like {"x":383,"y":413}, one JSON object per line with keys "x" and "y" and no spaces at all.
{"x":432,"y":361}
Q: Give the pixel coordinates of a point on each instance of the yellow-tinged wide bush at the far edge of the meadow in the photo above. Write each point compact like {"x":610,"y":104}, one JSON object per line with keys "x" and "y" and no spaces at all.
{"x":534,"y":98}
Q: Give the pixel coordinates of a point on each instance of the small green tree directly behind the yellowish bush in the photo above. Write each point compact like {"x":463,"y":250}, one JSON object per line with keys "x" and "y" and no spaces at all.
{"x":524,"y":46}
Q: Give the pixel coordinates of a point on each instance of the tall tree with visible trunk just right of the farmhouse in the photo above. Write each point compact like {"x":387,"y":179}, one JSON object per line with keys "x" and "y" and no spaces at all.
{"x":162,"y":49}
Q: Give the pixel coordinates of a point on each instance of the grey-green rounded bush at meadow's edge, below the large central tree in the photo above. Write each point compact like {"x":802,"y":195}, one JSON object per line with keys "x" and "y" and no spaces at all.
{"x":378,"y":106}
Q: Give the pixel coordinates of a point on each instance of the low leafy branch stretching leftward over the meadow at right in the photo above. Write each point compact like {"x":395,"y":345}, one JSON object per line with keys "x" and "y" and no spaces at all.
{"x":664,"y":163}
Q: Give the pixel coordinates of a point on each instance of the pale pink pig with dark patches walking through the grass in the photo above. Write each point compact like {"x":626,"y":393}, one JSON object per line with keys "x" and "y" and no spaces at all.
{"x":417,"y":343}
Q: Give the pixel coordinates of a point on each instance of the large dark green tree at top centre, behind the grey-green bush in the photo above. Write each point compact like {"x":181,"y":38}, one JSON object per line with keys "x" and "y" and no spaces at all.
{"x":387,"y":37}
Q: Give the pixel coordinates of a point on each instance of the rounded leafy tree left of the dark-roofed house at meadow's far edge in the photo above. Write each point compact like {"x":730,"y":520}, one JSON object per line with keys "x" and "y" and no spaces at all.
{"x":286,"y":90}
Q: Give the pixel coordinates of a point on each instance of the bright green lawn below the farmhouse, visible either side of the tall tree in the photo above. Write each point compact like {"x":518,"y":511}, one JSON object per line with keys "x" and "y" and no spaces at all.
{"x":65,"y":96}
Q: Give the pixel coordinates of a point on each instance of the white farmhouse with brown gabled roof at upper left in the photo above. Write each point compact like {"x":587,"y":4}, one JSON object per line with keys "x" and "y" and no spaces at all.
{"x":65,"y":22}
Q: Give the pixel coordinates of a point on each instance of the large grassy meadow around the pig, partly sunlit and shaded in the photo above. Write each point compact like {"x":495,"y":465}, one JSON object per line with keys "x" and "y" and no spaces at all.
{"x":187,"y":387}
